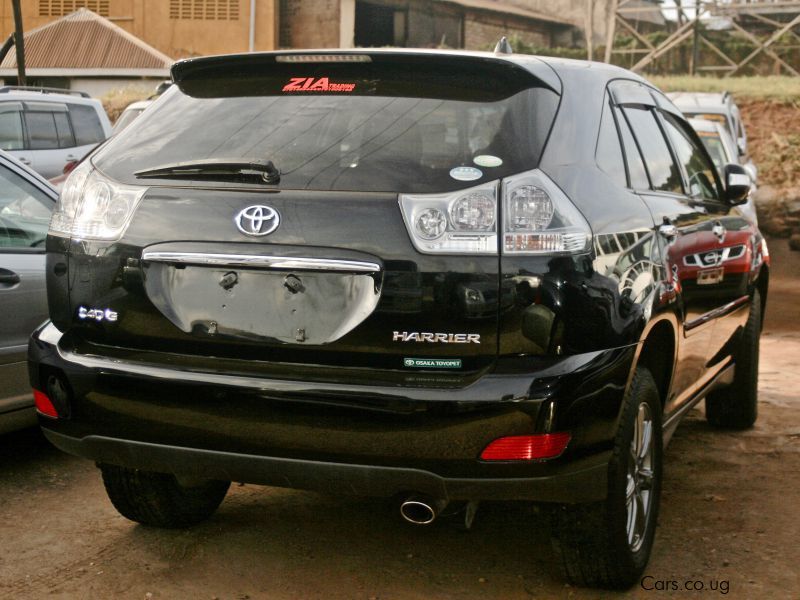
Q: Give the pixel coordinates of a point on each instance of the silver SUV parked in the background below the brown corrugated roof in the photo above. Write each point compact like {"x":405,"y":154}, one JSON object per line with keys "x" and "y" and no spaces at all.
{"x":47,"y":128}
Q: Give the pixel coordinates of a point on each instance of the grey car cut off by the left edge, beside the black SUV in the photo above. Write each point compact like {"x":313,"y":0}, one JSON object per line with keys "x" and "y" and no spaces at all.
{"x":26,"y":202}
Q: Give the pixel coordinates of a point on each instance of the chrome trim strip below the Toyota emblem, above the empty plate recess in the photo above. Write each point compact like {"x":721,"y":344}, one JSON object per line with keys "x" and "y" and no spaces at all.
{"x":262,"y":261}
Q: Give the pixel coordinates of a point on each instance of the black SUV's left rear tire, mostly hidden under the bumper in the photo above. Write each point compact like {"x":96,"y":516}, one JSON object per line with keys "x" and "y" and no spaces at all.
{"x":159,"y":499}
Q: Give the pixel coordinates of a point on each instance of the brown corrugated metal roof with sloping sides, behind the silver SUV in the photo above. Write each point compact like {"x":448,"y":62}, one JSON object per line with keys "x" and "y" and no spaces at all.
{"x":85,"y":40}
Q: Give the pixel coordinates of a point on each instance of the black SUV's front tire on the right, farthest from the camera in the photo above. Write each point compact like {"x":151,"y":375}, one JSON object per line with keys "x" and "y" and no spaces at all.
{"x":736,"y":406}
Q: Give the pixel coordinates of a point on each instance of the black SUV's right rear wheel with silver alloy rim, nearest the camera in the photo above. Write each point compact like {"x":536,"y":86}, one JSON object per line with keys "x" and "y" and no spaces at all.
{"x":607,"y":544}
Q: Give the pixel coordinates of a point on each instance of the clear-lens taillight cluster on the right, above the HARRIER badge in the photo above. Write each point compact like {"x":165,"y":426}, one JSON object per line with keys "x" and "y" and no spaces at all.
{"x":537,"y":218}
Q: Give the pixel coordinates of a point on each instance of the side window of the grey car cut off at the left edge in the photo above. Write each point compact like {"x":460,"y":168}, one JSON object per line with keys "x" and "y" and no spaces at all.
{"x":24,"y":211}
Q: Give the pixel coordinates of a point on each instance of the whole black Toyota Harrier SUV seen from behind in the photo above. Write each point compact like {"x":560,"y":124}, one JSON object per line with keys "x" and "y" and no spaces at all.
{"x":437,"y":276}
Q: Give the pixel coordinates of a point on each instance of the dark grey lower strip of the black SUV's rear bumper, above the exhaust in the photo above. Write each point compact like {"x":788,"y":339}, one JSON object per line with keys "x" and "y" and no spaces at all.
{"x":582,"y":481}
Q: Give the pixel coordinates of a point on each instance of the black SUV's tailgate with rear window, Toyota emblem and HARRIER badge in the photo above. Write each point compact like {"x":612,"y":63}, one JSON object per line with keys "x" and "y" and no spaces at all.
{"x":337,"y":281}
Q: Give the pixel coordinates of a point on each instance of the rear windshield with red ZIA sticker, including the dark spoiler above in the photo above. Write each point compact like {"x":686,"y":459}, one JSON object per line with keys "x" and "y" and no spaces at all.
{"x":359,"y":127}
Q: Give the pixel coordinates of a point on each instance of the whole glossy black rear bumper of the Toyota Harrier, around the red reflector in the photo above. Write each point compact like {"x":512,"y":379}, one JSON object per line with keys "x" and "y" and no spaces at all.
{"x":338,"y":436}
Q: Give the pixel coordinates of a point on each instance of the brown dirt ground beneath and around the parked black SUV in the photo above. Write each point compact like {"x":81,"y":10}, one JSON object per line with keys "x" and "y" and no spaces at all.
{"x":728,"y":522}
